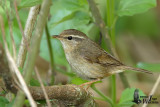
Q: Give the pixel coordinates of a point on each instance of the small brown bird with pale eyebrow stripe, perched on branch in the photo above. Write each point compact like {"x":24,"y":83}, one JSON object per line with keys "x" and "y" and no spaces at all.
{"x":88,"y":59}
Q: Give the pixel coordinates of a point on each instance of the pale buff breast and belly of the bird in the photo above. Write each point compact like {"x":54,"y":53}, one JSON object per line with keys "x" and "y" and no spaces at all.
{"x":84,"y":69}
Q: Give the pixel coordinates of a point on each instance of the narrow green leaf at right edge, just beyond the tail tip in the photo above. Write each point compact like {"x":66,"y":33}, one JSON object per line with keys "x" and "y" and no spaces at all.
{"x":149,"y":66}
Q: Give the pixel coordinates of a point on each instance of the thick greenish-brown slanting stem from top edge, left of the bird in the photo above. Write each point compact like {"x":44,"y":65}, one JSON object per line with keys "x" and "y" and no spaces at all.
{"x":35,"y":45}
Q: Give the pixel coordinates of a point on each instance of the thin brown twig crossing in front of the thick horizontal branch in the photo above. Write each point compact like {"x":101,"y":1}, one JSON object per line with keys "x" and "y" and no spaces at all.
{"x":43,"y":88}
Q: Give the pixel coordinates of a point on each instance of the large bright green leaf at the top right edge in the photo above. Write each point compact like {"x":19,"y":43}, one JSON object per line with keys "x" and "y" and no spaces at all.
{"x":131,"y":7}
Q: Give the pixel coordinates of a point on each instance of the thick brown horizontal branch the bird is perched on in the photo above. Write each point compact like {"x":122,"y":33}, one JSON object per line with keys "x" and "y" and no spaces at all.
{"x":70,"y":95}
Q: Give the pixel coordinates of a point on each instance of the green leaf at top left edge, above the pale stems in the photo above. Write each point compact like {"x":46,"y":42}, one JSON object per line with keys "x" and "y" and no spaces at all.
{"x":29,"y":3}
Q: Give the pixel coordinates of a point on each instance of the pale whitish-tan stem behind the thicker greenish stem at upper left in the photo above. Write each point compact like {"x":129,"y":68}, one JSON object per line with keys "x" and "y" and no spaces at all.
{"x":33,"y":13}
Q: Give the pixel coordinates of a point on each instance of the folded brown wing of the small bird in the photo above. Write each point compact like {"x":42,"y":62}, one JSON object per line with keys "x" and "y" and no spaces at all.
{"x":95,"y":54}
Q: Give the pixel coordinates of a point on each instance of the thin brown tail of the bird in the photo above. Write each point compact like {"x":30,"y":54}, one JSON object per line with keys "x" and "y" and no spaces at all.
{"x":135,"y":69}
